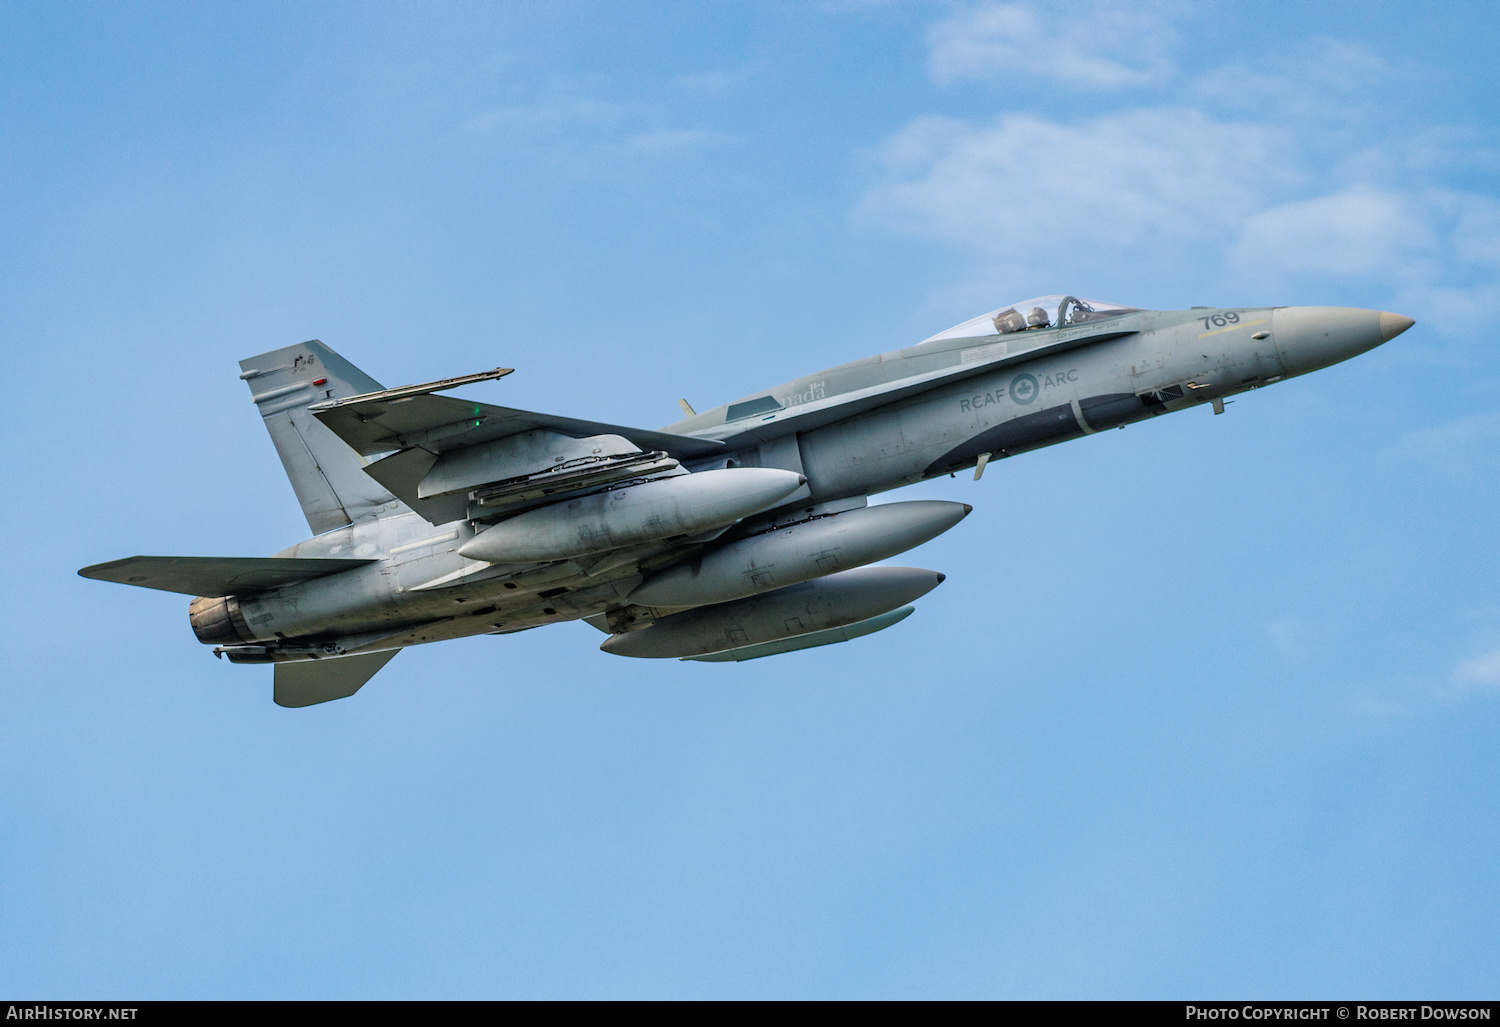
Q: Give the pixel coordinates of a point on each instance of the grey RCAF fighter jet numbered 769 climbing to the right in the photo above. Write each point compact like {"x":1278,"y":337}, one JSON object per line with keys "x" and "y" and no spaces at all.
{"x":736,"y":534}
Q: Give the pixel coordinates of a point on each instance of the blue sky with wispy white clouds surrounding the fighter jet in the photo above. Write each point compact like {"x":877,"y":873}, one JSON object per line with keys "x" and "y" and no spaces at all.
{"x":1205,"y":708}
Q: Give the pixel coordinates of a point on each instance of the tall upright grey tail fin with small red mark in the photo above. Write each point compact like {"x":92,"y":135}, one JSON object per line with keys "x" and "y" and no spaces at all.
{"x":326,"y":475}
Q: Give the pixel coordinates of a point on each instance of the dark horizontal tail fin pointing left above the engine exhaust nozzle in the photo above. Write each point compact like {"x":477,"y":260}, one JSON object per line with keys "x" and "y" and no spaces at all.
{"x":215,"y":576}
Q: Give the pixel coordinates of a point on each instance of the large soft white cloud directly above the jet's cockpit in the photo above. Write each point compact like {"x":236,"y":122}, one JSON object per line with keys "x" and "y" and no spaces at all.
{"x":1126,"y":187}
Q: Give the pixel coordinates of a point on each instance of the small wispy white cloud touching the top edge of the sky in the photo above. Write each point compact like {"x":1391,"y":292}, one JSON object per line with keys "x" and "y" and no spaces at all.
{"x":1100,"y":47}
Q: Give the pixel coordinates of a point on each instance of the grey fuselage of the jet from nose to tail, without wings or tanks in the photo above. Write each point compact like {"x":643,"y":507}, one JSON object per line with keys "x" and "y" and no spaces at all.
{"x":854,"y":431}
